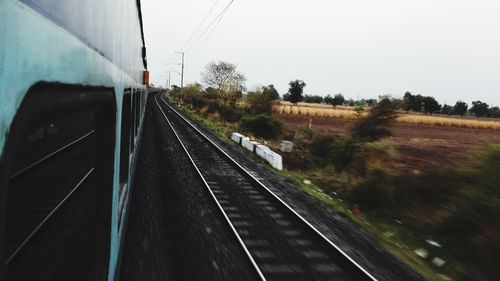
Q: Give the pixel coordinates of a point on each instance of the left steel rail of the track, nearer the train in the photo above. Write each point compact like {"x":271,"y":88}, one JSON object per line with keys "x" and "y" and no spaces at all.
{"x":242,"y":244}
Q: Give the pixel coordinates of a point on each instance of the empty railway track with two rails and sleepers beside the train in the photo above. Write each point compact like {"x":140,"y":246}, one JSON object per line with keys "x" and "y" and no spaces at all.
{"x":280,"y":244}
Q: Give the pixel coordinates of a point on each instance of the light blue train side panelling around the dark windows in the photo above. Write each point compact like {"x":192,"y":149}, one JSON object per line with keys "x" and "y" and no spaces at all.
{"x":76,"y":42}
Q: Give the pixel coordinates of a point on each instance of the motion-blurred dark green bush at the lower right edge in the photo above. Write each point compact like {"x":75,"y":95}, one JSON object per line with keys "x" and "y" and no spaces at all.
{"x":474,"y":225}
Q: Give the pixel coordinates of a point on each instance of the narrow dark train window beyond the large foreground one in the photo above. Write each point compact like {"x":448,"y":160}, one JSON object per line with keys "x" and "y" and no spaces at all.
{"x":125,"y":149}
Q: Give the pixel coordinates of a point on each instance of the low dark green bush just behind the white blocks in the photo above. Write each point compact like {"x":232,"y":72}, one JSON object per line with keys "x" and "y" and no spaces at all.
{"x":262,"y":126}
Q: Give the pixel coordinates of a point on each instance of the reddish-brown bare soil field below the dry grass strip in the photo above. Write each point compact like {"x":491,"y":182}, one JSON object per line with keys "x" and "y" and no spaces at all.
{"x":421,"y":147}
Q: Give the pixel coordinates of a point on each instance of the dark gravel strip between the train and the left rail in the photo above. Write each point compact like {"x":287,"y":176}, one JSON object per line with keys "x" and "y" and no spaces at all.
{"x":174,"y":230}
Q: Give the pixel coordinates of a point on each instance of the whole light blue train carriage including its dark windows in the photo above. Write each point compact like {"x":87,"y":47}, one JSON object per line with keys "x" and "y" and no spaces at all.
{"x":84,"y":59}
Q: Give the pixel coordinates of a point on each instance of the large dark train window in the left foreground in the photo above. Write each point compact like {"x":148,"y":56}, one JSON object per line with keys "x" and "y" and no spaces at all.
{"x":58,"y":161}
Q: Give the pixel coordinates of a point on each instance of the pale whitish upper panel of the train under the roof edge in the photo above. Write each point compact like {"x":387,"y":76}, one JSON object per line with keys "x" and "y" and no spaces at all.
{"x":111,"y":27}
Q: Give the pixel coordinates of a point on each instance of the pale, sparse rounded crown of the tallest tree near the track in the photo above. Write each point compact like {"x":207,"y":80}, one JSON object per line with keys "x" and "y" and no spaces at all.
{"x":223,"y":76}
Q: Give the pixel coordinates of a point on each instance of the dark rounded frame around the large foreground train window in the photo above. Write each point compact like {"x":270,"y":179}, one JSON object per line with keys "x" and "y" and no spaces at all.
{"x":53,"y":100}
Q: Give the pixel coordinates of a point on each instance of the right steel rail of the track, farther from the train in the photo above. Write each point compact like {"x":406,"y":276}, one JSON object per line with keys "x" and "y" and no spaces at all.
{"x":315,"y":230}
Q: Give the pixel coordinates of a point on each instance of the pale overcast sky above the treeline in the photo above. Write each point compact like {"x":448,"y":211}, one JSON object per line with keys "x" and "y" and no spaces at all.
{"x":449,"y":49}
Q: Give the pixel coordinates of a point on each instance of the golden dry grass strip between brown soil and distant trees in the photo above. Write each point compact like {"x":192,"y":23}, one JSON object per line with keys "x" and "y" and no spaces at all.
{"x":348,"y":113}
